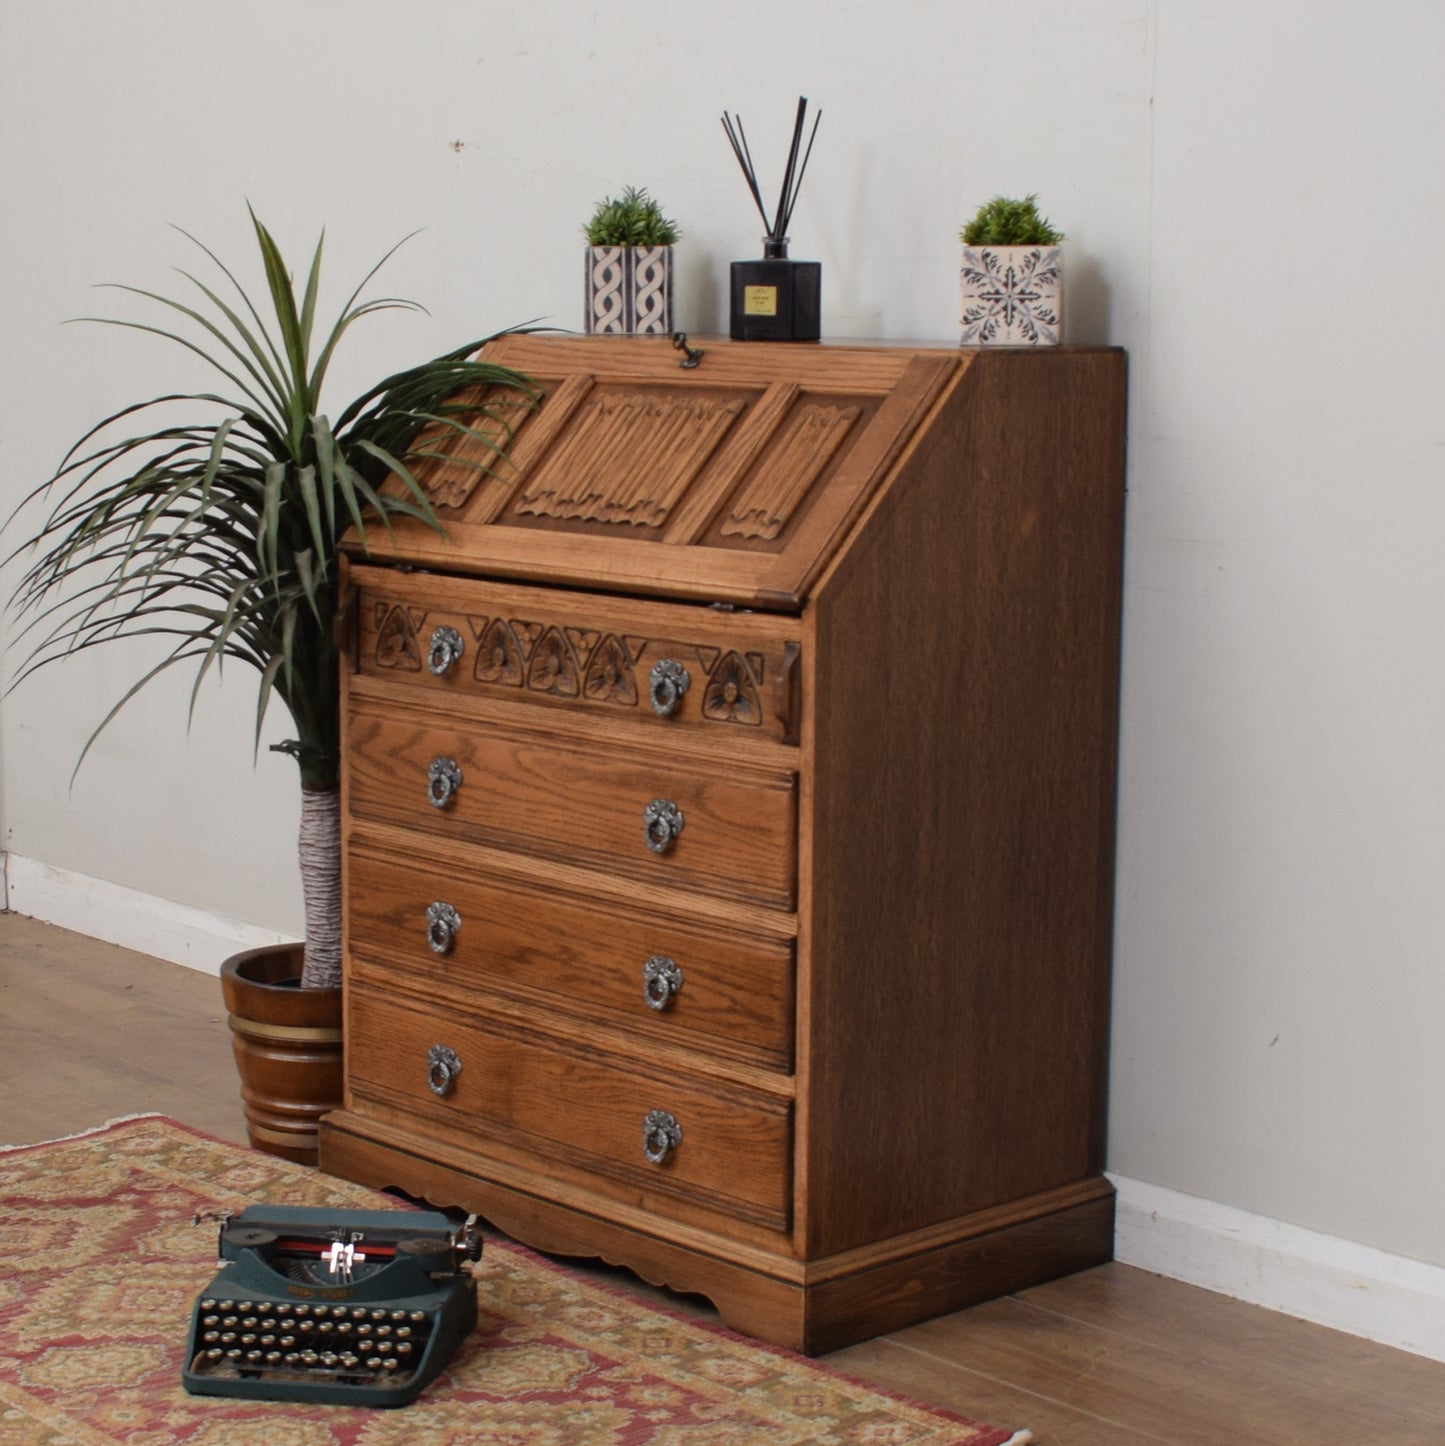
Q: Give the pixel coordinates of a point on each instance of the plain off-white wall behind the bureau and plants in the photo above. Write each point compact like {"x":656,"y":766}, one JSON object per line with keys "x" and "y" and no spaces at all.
{"x":1281,"y":997}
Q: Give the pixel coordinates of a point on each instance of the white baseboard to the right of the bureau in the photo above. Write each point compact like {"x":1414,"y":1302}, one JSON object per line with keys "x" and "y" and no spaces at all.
{"x":1330,"y":1282}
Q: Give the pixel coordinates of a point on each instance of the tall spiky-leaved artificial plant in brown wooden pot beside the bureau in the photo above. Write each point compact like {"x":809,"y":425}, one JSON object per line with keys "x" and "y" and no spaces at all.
{"x":218,"y":531}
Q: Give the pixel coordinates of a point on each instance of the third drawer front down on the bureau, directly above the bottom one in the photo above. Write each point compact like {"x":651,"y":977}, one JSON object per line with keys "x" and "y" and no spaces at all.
{"x":669,"y":980}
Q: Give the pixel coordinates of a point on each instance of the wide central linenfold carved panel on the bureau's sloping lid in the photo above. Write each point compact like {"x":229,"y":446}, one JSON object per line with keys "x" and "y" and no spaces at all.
{"x":628,"y":458}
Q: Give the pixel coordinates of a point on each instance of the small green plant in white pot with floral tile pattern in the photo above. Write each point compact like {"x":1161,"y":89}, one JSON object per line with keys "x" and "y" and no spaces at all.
{"x":1012,"y":280}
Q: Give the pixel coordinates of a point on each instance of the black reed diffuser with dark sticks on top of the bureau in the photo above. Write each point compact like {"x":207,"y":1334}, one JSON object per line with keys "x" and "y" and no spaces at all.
{"x":776,"y":299}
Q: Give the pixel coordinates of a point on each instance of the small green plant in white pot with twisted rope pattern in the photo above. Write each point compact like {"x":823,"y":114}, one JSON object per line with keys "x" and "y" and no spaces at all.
{"x":630,"y":267}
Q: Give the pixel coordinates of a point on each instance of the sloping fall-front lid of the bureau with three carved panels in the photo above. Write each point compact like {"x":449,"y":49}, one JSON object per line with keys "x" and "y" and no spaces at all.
{"x":734,"y":479}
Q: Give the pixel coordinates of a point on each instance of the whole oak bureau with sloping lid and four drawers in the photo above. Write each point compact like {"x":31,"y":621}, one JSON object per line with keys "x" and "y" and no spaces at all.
{"x":728,"y":825}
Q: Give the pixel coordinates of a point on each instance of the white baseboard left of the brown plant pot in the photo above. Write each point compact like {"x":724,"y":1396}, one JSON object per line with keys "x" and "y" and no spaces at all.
{"x":141,"y":922}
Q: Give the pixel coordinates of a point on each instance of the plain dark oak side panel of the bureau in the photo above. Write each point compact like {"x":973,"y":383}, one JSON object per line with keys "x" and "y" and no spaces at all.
{"x":961,"y":808}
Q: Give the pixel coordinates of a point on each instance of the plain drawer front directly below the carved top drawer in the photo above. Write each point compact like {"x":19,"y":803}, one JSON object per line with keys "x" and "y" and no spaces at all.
{"x":715,"y":829}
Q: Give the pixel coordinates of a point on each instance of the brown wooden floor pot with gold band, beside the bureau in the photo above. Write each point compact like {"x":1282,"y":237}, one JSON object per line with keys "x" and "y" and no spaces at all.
{"x":289,"y":1049}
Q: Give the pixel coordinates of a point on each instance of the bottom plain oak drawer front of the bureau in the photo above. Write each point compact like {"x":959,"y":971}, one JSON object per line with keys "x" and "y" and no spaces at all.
{"x":574,"y":1105}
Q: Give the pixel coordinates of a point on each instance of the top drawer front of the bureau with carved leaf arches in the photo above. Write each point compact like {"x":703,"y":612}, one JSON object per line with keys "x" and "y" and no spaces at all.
{"x":669,"y":666}
